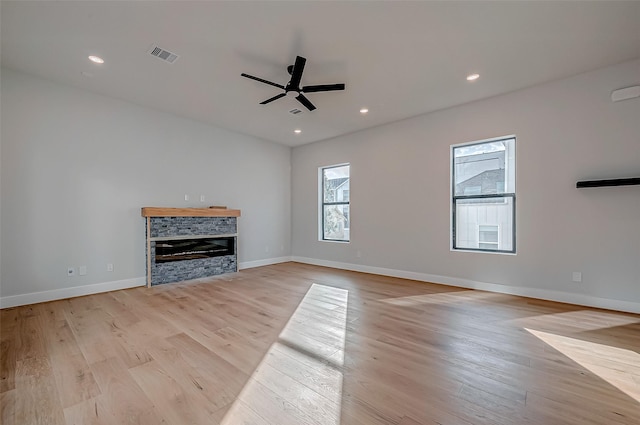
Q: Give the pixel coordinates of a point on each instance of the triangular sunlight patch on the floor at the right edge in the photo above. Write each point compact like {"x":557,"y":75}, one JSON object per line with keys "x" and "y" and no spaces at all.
{"x":617,"y":366}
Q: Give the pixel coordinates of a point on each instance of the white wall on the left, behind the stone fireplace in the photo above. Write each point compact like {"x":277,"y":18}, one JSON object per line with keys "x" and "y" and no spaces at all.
{"x":77,"y":167}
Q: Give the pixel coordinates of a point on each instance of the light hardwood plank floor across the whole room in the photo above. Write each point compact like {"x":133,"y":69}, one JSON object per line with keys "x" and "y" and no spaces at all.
{"x":300,"y":344}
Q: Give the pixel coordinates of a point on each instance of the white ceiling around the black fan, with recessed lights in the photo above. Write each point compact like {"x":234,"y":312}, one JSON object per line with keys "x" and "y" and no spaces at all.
{"x":399,"y":59}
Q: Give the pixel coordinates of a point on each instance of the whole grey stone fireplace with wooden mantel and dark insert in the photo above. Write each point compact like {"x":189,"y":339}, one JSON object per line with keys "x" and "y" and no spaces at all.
{"x":190,"y":243}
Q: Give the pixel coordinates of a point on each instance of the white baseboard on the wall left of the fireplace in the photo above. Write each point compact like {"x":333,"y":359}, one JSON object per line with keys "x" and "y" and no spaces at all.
{"x":75,"y":291}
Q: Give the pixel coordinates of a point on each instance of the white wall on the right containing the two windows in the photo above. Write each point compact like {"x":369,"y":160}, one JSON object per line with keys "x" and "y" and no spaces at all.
{"x":566,"y":131}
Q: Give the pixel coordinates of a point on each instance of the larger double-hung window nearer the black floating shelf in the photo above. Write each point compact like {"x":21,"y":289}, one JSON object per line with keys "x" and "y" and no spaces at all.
{"x":484,"y":196}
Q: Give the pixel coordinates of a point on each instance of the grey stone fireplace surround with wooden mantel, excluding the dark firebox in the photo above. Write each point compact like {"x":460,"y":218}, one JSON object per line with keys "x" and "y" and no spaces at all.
{"x":183,"y":223}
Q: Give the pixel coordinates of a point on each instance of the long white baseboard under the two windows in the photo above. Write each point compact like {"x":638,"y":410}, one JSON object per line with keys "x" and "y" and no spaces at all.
{"x":542,"y":294}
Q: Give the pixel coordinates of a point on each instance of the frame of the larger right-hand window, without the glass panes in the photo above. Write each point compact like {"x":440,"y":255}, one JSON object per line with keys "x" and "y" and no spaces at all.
{"x":505,"y":195}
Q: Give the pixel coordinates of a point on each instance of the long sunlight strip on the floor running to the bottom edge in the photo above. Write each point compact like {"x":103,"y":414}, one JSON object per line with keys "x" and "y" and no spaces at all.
{"x":299,"y":380}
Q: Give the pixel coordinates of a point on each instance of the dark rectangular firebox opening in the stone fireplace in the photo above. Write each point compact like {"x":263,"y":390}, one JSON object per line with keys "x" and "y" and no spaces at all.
{"x":190,"y":249}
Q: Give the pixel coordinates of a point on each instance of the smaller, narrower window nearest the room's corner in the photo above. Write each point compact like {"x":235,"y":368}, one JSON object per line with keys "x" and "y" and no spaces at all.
{"x":334,"y":183}
